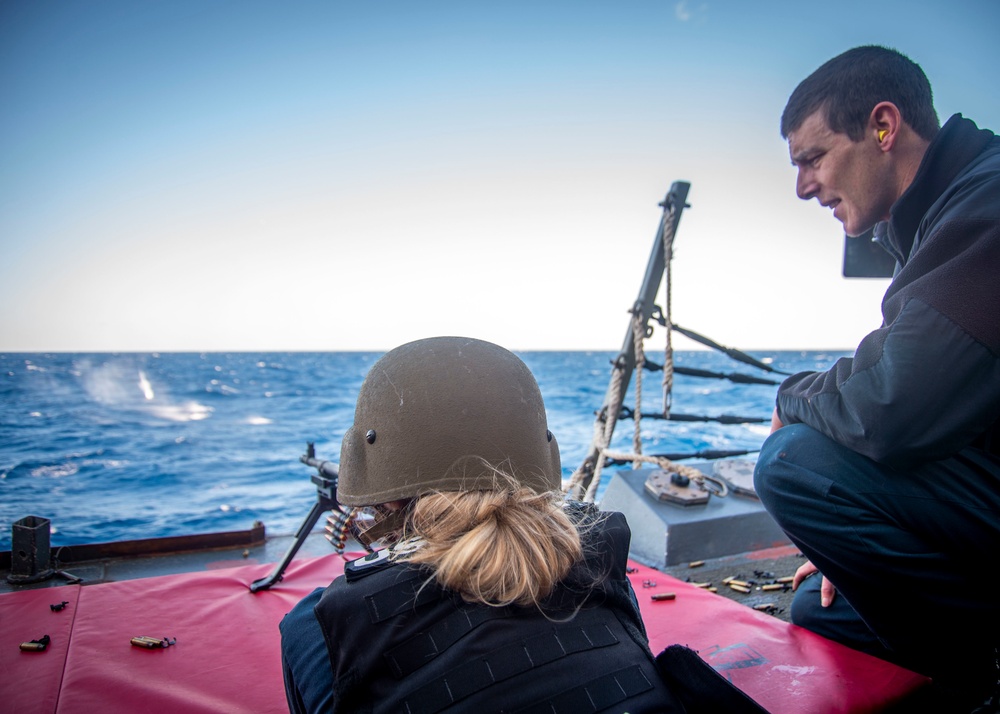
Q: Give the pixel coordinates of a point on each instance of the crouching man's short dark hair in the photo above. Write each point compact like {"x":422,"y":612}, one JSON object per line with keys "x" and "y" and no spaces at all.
{"x":849,"y":86}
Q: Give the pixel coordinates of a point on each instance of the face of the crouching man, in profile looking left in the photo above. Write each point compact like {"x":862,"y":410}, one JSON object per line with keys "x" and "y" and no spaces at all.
{"x":849,"y":177}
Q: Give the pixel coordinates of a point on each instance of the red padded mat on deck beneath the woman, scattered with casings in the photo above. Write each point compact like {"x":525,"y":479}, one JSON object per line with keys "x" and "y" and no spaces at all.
{"x":227,"y":656}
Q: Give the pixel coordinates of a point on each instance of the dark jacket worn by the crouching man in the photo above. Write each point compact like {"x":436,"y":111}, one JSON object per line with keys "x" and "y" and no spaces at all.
{"x":927,"y":383}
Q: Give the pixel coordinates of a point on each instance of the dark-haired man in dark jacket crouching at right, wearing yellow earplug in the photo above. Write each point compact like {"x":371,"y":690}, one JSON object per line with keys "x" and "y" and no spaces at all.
{"x":885,"y":469}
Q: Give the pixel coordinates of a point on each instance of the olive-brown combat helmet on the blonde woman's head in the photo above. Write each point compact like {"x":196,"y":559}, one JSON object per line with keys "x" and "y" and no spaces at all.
{"x":436,"y":414}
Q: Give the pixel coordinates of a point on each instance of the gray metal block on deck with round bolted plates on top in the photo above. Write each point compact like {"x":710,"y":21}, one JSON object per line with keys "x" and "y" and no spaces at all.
{"x":665,"y":534}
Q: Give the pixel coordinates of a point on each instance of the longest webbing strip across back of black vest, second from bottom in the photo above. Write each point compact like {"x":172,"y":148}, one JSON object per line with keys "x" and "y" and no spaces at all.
{"x":507,"y":662}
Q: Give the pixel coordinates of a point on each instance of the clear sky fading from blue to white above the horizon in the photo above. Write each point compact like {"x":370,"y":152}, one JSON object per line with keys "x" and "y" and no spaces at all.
{"x":205,"y":175}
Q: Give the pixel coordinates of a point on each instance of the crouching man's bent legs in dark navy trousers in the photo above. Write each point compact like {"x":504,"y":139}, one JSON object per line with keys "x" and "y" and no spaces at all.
{"x":902,"y":546}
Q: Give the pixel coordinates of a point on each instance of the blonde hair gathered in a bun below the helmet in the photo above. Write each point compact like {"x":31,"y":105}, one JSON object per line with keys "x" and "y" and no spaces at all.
{"x":508,"y":545}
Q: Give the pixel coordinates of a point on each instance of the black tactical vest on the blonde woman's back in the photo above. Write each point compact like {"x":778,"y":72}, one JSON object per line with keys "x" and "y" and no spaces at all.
{"x":399,"y":643}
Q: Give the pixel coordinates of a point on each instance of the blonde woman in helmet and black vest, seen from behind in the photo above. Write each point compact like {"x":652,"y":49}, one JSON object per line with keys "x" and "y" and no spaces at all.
{"x":493,"y":593}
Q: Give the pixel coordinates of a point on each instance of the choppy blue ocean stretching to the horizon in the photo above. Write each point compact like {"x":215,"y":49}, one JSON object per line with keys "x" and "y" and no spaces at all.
{"x":125,"y":446}
